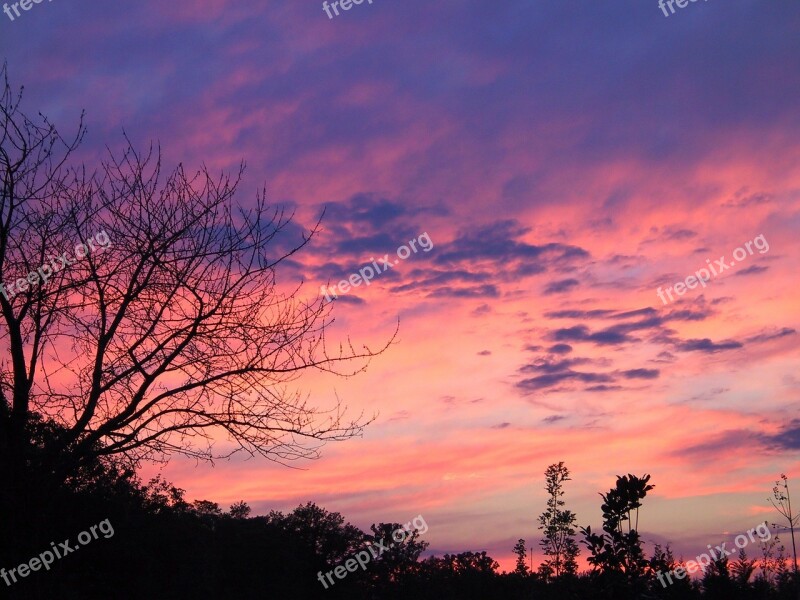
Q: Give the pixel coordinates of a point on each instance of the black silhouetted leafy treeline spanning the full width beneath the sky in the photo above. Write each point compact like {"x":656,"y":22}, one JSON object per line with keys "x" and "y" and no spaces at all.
{"x":165,"y":547}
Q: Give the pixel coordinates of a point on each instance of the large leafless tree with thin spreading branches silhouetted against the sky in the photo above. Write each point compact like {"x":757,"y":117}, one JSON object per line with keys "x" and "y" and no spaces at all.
{"x":176,"y":337}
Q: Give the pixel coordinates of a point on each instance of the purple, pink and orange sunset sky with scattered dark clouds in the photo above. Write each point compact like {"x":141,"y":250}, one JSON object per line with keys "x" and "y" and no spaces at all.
{"x":558,"y":164}
